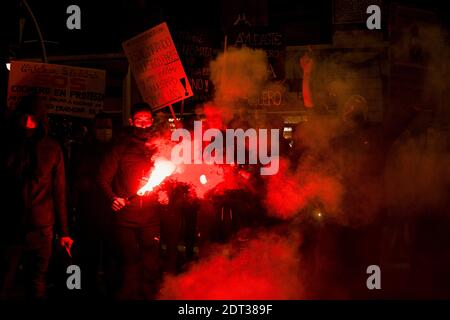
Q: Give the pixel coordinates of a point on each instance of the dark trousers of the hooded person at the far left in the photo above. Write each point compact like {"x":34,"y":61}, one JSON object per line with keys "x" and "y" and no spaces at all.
{"x":35,"y":254}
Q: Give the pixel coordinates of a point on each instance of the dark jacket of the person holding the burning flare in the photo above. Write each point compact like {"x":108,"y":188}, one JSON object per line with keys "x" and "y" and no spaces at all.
{"x":122,"y":173}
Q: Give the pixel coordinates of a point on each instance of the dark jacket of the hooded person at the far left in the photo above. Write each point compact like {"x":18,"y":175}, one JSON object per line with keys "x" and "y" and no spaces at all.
{"x":37,"y":198}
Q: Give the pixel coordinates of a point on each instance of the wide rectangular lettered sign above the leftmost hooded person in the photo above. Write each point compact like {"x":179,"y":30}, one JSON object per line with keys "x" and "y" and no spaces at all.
{"x":65,"y":90}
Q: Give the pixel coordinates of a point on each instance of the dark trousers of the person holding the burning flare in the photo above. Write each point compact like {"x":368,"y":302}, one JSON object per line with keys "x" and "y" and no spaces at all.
{"x":139,"y":254}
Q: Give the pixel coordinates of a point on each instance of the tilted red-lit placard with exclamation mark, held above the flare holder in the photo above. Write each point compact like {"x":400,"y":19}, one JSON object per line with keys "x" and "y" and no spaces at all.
{"x":157,"y":68}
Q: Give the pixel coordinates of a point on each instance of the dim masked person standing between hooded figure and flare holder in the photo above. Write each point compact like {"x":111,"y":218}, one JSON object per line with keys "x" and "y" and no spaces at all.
{"x":92,"y":210}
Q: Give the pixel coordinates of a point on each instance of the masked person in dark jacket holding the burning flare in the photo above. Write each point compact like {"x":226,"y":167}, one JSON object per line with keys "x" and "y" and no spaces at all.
{"x":137,"y":221}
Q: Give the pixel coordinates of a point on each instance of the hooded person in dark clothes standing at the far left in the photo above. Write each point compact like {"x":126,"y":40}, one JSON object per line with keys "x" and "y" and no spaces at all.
{"x":33,"y":187}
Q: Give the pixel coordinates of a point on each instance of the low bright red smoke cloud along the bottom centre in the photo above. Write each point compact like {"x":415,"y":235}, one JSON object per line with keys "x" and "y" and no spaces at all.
{"x":265,"y":268}
